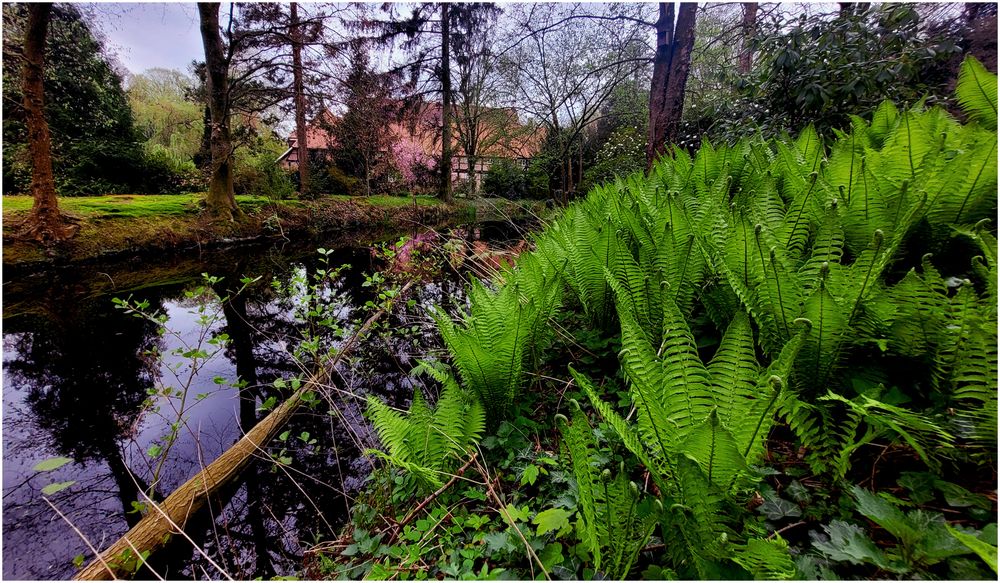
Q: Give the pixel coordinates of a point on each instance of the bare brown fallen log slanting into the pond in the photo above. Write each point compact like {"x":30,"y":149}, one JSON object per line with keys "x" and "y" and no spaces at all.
{"x":163,"y":520}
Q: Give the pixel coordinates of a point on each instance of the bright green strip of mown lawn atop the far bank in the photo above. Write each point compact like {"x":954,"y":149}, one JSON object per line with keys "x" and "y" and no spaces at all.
{"x":159,"y":205}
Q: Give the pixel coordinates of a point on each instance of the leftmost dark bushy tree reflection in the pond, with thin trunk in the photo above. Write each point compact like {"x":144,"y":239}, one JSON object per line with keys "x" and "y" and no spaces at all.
{"x":84,"y":385}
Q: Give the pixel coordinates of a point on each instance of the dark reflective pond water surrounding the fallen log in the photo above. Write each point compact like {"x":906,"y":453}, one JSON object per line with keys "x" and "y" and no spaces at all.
{"x":76,"y":377}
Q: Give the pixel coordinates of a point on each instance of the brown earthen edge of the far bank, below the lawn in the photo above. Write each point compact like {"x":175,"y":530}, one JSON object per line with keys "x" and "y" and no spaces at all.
{"x":114,"y":238}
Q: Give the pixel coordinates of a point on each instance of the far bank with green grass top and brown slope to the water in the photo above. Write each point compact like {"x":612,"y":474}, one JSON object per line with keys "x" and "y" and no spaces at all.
{"x":114,"y":225}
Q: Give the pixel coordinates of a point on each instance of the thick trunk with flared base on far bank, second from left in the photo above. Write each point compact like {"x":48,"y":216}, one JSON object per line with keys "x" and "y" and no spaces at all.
{"x":220,"y":200}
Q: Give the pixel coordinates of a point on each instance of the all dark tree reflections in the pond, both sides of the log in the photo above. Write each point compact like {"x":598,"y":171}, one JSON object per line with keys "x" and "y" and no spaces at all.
{"x":86,"y":382}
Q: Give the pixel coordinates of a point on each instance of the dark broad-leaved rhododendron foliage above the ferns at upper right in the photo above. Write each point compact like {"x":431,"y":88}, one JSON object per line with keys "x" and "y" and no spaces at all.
{"x":821,"y":69}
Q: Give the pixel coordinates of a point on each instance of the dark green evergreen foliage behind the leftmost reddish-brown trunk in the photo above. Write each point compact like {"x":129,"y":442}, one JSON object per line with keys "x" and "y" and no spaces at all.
{"x":95,"y":147}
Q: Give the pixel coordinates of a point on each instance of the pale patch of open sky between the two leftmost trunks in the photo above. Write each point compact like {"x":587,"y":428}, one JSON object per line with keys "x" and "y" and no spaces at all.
{"x":148,"y":35}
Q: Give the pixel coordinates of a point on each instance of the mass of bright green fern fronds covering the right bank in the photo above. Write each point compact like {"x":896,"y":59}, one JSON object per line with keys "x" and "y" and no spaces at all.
{"x":811,"y":258}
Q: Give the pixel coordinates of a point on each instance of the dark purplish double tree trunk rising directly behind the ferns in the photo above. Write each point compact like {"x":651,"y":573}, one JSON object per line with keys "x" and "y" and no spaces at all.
{"x":670,"y":72}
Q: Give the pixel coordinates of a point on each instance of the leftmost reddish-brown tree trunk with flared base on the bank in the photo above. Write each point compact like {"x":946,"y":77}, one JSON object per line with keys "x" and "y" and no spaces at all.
{"x":45,"y":223}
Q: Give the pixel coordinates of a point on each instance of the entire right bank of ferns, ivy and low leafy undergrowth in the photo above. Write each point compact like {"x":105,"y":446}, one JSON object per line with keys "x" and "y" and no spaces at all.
{"x":773,"y":360}
